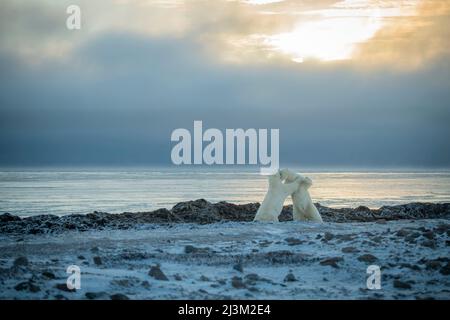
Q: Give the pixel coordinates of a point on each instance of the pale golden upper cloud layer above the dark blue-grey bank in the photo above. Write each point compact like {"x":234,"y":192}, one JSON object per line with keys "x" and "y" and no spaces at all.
{"x":404,"y":34}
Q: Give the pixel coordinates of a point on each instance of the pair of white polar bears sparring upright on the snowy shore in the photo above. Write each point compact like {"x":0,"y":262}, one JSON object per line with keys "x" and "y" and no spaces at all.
{"x":281,"y":185}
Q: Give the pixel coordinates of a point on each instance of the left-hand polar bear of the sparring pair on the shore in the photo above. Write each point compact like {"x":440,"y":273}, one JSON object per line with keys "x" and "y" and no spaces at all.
{"x":273,"y":202}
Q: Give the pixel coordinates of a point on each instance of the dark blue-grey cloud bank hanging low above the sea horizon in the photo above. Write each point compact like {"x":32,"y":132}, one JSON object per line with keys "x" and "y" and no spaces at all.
{"x":118,"y":102}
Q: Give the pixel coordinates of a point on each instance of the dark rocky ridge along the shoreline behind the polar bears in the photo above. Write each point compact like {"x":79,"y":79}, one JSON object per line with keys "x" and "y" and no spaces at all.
{"x":203,"y":212}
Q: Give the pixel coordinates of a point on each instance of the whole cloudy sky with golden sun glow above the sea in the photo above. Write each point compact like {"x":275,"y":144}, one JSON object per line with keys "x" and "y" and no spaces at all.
{"x":348,"y":83}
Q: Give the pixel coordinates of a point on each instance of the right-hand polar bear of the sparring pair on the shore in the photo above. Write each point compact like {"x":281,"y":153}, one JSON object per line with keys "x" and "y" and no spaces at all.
{"x":302,"y":206}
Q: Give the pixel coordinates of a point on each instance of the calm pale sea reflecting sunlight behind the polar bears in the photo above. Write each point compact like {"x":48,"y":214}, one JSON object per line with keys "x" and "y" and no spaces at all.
{"x":64,"y":191}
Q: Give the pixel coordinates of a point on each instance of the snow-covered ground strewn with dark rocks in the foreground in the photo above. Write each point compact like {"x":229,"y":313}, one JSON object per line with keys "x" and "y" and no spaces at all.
{"x":232,"y":260}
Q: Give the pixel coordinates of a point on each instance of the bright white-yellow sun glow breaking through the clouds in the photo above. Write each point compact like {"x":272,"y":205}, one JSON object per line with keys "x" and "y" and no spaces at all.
{"x":328,"y":39}
